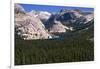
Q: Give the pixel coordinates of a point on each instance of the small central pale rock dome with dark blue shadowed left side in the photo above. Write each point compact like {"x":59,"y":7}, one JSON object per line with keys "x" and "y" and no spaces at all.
{"x":55,"y":26}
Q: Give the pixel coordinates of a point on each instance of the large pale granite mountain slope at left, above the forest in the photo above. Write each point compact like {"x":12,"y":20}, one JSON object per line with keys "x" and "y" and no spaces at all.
{"x":29,"y":27}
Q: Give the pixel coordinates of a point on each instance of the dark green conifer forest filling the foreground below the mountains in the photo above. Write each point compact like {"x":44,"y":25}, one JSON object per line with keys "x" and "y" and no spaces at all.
{"x":74,"y":47}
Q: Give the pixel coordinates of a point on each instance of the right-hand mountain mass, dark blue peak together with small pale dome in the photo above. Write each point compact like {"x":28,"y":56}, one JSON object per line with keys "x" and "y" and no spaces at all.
{"x":68,"y":20}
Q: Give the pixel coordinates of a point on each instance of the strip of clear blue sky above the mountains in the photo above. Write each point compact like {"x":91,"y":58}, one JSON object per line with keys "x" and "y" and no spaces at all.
{"x":51,"y":8}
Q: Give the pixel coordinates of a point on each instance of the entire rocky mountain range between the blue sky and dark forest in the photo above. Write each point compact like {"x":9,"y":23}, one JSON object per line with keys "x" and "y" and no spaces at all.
{"x":43,"y":24}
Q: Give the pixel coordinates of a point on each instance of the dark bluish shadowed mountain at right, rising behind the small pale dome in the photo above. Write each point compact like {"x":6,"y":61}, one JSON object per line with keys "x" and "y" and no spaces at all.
{"x":72,"y":19}
